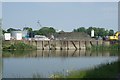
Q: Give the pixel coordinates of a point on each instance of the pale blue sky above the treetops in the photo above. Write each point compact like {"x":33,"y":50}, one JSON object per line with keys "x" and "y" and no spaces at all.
{"x":60,"y":15}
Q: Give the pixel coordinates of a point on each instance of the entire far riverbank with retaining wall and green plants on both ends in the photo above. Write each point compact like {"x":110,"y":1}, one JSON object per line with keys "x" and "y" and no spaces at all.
{"x":60,"y":45}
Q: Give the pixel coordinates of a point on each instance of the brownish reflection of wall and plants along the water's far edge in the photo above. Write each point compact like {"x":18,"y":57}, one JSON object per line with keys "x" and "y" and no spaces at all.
{"x":58,"y":53}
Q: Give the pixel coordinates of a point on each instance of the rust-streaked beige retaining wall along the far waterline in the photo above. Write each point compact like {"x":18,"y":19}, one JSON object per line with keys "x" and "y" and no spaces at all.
{"x":66,"y":44}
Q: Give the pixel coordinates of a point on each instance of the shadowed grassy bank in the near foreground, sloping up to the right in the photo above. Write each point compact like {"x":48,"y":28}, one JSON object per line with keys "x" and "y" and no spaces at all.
{"x":109,"y":70}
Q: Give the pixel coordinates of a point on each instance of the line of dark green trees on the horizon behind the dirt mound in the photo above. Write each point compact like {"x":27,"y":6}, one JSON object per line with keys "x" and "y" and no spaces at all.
{"x":98,"y":32}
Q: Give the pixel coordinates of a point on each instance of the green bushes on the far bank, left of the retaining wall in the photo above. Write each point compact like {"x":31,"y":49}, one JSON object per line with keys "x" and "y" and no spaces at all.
{"x":18,"y":46}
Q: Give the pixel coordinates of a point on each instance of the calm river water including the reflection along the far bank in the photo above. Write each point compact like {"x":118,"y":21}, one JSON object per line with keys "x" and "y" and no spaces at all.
{"x":28,"y":64}
